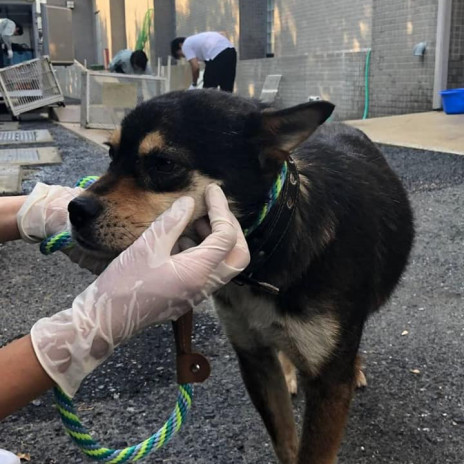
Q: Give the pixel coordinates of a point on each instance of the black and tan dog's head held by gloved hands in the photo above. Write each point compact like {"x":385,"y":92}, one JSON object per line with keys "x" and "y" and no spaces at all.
{"x":176,"y":145}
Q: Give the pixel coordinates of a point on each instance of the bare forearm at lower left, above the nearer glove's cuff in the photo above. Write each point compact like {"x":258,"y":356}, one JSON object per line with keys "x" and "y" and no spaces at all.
{"x":23,"y":378}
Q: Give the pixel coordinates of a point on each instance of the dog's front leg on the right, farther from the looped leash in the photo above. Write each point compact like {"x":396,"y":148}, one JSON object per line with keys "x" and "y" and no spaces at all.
{"x":326,"y":413}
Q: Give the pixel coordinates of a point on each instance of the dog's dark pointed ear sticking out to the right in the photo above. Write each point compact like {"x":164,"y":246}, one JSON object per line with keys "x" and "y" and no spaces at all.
{"x":291,"y":126}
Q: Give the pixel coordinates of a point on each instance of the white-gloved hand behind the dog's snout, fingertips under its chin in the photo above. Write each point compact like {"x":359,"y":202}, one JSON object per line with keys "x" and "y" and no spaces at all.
{"x":45,"y":213}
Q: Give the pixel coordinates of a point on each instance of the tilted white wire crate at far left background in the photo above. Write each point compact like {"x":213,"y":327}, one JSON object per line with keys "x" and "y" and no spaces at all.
{"x":29,"y":85}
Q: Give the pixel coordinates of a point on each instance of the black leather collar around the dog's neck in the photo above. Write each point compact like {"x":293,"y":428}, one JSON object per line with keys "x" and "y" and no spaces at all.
{"x":268,"y":236}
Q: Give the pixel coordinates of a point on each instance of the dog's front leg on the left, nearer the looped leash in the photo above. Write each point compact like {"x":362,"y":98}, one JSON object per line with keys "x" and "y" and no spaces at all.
{"x":265,"y":382}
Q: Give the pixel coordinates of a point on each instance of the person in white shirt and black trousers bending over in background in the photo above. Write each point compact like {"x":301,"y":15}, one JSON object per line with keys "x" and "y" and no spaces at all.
{"x":218,"y":54}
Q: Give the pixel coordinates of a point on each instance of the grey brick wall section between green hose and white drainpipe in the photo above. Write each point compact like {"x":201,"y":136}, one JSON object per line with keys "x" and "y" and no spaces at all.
{"x":400,"y":82}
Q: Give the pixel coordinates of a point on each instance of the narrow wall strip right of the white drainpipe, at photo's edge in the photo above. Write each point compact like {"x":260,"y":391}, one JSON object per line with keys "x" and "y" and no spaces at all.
{"x":456,"y":58}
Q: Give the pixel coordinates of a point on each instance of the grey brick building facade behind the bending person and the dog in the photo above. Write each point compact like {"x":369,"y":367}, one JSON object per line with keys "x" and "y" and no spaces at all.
{"x":323,"y":47}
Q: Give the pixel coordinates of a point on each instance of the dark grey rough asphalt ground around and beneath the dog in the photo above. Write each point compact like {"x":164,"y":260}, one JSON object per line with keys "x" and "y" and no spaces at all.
{"x":412,"y":411}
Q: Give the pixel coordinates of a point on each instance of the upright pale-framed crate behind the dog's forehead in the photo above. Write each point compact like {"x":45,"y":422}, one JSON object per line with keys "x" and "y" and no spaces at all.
{"x":108,"y":97}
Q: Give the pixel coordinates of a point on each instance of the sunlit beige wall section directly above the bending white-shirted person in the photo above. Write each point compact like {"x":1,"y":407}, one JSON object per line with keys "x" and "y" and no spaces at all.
{"x":193,"y":16}
